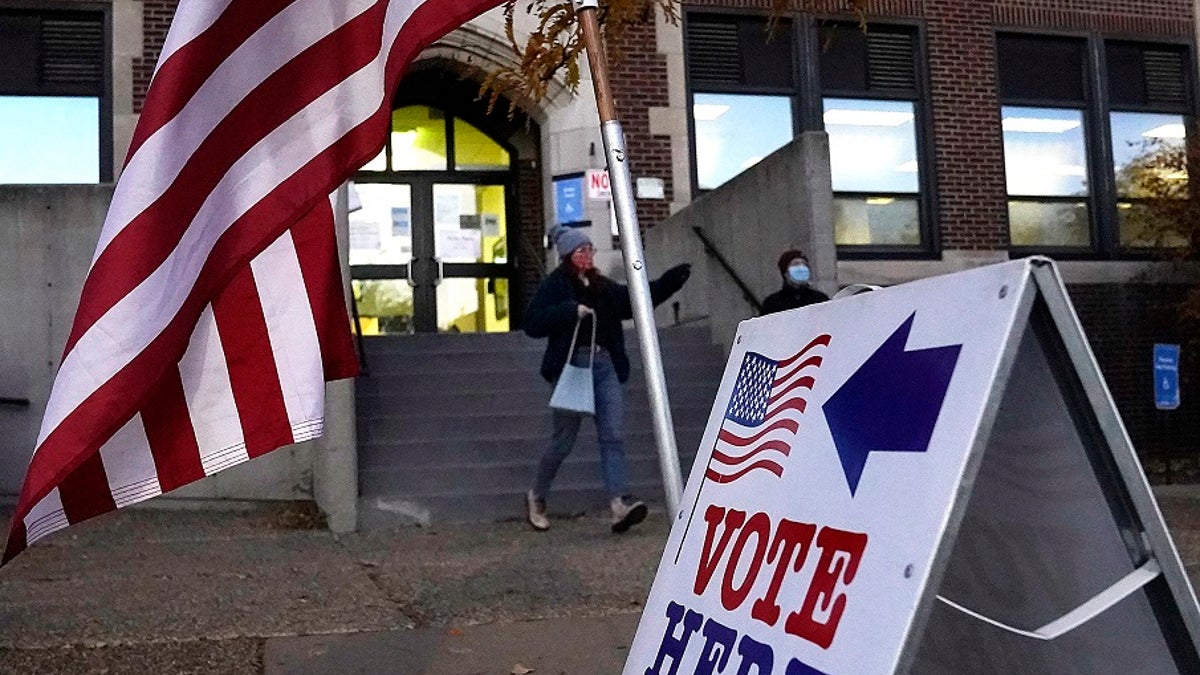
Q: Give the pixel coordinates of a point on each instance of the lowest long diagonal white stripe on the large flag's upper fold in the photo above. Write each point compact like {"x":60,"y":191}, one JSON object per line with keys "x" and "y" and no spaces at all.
{"x":139,"y":318}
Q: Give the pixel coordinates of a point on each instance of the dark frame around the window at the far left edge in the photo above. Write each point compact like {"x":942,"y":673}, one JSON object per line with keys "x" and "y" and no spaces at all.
{"x":105,"y":94}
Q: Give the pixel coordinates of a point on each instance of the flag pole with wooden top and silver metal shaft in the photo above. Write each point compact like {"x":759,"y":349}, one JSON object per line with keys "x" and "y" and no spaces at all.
{"x":632,"y":249}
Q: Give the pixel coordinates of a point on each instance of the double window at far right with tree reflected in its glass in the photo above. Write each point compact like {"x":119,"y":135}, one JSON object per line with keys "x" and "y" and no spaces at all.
{"x":1088,"y":166}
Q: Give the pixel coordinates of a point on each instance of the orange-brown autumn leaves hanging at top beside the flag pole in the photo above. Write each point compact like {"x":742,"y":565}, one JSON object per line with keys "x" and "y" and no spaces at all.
{"x":556,"y":44}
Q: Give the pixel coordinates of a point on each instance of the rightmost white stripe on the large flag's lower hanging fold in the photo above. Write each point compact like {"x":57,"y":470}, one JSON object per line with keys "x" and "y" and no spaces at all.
{"x":292,"y":330}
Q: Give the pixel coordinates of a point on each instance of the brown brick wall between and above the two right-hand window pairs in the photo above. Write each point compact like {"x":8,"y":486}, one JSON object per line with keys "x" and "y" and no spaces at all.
{"x":961,"y":43}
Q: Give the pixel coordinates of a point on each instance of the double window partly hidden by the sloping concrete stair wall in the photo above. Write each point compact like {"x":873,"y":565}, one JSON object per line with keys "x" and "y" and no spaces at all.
{"x":748,"y":100}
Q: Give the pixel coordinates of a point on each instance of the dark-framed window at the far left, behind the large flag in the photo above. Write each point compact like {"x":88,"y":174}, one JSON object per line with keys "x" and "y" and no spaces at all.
{"x":55,"y":109}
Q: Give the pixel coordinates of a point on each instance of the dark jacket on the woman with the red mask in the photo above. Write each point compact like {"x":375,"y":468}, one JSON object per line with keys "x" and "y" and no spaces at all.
{"x":555,"y":309}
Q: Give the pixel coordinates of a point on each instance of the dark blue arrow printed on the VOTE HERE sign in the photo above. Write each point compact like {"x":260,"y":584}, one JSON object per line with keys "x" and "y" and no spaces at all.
{"x":891,"y":403}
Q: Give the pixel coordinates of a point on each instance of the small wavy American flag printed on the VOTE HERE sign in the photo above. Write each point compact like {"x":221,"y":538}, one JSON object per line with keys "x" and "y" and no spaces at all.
{"x":764,"y":414}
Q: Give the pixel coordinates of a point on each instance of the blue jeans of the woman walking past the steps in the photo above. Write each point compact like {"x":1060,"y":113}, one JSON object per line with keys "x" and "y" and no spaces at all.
{"x":609,"y":421}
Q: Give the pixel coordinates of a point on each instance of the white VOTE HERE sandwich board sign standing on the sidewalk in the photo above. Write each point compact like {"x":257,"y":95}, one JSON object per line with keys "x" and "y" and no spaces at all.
{"x":926,"y":479}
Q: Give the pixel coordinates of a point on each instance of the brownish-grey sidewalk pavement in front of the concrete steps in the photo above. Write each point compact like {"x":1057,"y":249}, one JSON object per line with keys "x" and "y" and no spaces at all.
{"x":268,"y":592}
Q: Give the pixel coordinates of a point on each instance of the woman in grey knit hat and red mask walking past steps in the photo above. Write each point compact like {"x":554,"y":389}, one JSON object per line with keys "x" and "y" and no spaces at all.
{"x":577,"y":292}
